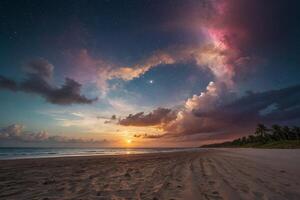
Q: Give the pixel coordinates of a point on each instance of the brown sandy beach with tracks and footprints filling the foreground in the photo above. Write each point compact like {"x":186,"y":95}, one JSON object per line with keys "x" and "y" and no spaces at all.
{"x":205,"y":174}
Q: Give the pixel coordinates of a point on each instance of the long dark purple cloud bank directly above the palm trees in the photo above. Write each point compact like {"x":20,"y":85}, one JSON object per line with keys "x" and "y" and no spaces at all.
{"x":242,"y":114}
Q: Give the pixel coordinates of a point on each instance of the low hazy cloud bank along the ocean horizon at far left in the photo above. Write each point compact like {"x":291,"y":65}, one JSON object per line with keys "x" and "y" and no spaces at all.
{"x":15,"y":134}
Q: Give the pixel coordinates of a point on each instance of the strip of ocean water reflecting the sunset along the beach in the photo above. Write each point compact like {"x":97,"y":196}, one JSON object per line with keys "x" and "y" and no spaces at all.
{"x":22,"y":153}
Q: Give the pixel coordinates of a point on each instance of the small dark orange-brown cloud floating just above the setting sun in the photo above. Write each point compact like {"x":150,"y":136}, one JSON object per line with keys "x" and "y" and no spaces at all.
{"x":156,"y":117}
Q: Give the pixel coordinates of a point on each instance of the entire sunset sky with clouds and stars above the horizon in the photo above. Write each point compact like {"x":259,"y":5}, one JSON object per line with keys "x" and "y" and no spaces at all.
{"x":146,"y":73}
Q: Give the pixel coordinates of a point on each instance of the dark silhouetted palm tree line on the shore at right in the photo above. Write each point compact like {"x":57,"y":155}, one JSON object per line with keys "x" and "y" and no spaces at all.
{"x":264,"y":135}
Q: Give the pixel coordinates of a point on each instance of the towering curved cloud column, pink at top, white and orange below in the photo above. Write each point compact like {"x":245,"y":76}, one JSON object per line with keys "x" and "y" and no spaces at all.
{"x":219,"y":54}
